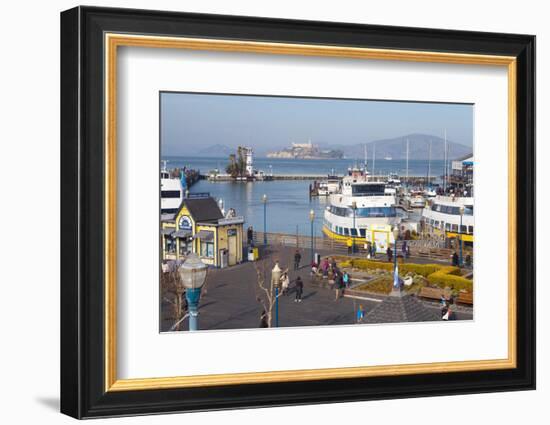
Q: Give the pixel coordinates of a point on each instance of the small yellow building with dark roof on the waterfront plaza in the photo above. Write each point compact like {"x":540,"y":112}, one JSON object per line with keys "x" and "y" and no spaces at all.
{"x":199,"y":226}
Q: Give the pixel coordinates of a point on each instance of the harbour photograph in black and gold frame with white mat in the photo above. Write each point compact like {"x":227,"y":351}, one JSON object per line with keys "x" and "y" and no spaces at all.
{"x":261,"y":212}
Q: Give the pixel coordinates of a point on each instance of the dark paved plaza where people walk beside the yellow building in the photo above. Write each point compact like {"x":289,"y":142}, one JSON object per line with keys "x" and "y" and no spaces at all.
{"x":229,"y":298}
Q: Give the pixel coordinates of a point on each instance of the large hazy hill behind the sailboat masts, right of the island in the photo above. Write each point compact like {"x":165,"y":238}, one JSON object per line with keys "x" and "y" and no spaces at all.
{"x":418,"y":148}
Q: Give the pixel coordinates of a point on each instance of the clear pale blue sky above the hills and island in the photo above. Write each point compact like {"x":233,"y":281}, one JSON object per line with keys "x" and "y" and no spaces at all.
{"x":194,"y":121}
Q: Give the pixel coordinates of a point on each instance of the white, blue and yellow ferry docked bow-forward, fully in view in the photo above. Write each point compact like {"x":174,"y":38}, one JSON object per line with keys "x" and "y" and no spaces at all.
{"x":362,"y":211}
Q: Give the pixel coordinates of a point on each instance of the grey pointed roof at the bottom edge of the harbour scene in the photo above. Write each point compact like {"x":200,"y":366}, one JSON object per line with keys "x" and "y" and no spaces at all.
{"x":401,"y":308}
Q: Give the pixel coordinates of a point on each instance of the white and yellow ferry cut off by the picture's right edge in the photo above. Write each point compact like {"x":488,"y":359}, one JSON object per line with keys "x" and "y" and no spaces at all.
{"x":441,"y":217}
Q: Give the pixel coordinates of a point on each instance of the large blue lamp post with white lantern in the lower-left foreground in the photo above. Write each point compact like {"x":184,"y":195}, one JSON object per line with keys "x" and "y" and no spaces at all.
{"x":193,"y":274}
